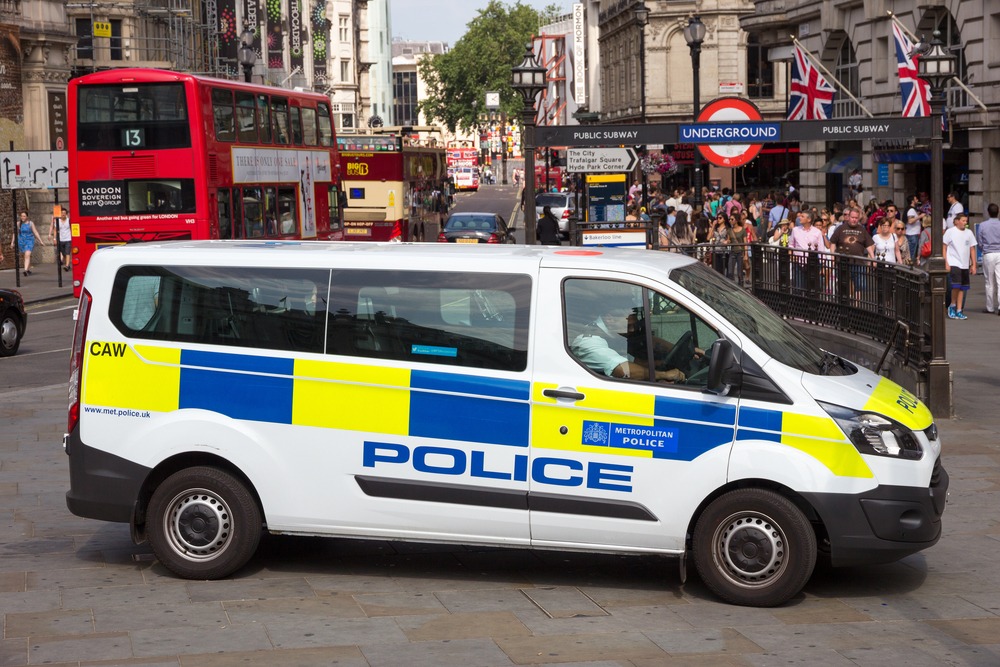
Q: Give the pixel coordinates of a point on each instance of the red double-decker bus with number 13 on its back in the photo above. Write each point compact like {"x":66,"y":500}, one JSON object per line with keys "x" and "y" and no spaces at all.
{"x":157,"y":155}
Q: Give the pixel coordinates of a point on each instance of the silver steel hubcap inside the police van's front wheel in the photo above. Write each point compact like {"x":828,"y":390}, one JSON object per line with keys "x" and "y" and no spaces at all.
{"x":750,"y":549}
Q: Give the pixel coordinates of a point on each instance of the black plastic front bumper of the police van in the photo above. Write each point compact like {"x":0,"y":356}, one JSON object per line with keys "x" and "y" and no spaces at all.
{"x":884,"y":524}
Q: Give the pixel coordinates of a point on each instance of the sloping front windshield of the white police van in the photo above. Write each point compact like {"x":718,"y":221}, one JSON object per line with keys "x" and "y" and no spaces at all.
{"x":758,"y":322}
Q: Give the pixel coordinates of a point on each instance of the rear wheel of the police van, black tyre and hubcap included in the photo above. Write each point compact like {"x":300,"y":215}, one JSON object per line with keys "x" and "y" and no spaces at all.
{"x":203,"y":523}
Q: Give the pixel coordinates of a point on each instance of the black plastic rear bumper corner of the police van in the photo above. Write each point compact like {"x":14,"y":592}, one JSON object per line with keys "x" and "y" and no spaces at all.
{"x":102,"y":486}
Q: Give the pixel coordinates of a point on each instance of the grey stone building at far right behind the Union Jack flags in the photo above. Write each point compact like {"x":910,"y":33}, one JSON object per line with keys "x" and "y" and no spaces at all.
{"x":854,"y":41}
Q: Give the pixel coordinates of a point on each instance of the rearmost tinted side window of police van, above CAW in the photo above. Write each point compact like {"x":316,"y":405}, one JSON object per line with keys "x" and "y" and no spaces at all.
{"x":276,"y":309}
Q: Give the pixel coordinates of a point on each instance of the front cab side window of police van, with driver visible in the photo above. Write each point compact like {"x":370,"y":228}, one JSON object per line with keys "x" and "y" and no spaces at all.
{"x":624,"y":331}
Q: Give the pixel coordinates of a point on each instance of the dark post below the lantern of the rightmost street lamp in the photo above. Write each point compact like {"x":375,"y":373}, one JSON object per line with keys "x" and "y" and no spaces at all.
{"x":939,"y":371}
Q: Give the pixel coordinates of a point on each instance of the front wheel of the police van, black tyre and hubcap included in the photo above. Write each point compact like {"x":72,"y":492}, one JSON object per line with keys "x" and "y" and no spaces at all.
{"x":754,"y":547}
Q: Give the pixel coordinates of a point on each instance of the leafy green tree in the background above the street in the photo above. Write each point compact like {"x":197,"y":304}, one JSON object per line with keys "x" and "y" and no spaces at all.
{"x":480,"y":61}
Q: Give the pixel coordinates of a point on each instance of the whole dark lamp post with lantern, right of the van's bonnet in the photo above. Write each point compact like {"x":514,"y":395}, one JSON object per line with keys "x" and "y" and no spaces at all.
{"x":936,"y":66}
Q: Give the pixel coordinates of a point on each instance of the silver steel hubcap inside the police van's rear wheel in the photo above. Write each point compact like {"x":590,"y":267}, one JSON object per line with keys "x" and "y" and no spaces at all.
{"x":198,"y":525}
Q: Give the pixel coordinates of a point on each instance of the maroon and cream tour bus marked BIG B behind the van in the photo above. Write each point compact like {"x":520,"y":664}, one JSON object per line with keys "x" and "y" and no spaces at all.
{"x":392,"y":185}
